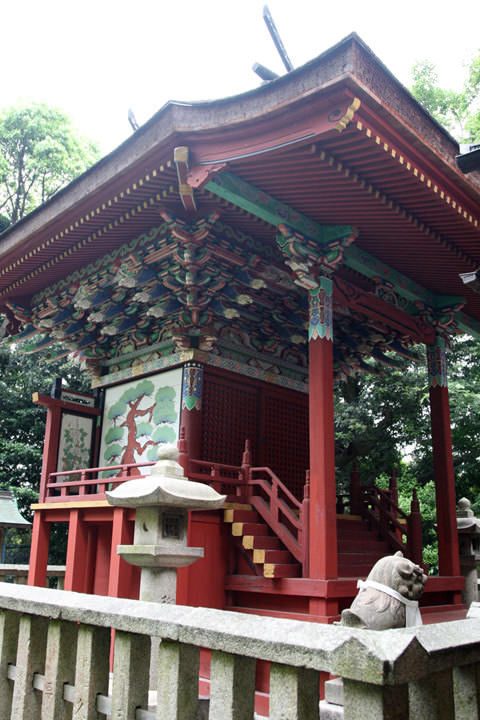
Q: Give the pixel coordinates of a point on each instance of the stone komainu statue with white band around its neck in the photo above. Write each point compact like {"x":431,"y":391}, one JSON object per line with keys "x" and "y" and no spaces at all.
{"x":388,"y":598}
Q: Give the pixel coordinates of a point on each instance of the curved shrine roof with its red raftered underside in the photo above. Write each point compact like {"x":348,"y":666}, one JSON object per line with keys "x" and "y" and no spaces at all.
{"x":349,"y":167}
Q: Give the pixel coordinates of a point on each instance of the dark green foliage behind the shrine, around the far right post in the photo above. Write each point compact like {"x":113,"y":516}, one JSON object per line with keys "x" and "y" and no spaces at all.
{"x":383,"y":423}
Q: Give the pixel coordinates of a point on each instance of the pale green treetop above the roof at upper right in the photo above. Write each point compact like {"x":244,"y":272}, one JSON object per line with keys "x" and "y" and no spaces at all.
{"x":458,"y":111}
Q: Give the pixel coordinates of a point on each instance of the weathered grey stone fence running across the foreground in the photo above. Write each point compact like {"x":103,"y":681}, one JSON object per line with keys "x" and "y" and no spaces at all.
{"x":55,"y":653}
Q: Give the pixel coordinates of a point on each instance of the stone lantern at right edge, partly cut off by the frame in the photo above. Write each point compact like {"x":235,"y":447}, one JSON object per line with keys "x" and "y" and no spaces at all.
{"x":468,"y":529}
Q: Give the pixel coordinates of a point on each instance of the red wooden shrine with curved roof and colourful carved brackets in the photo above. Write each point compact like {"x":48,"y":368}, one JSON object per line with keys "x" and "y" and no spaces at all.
{"x":217,"y":275}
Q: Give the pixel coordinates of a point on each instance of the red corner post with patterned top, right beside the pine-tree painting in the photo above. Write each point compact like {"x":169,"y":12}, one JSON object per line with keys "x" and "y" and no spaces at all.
{"x":191,"y":418}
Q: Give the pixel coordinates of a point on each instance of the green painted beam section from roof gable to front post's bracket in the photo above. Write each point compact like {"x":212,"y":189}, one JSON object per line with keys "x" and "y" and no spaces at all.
{"x":264,"y":206}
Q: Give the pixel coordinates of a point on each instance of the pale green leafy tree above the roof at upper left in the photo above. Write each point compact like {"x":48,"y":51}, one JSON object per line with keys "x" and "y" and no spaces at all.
{"x":39,"y":154}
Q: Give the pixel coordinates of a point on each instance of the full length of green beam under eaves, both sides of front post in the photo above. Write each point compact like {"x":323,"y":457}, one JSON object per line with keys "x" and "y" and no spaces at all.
{"x":246,"y":196}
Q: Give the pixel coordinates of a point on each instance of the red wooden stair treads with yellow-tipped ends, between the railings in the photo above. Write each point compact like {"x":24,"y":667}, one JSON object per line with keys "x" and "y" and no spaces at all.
{"x":359,"y":547}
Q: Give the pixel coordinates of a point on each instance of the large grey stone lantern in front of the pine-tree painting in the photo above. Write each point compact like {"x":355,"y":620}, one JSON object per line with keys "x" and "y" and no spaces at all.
{"x":162,"y":501}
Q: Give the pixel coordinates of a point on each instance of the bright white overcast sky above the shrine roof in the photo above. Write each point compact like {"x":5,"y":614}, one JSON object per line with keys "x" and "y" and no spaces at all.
{"x":96,"y":58}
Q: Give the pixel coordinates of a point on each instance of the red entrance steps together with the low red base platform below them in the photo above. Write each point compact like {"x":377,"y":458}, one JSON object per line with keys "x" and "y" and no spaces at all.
{"x":266,"y":579}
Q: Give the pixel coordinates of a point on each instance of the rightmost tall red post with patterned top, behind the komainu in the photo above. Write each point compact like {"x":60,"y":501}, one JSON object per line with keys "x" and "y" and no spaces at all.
{"x":448,"y":554}
